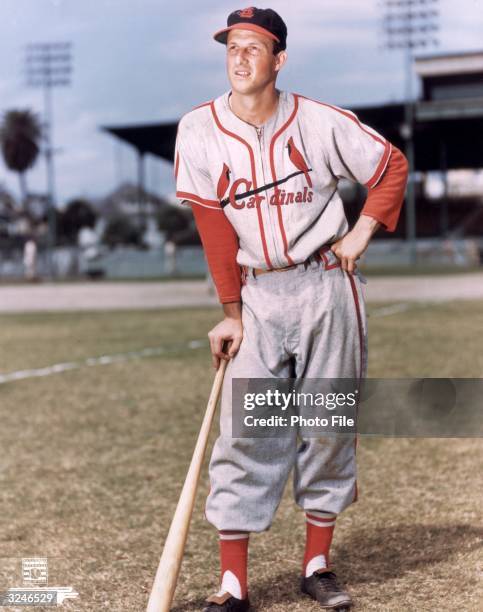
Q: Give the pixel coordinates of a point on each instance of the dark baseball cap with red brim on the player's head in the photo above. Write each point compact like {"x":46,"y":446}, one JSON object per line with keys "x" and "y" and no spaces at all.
{"x":263,"y":21}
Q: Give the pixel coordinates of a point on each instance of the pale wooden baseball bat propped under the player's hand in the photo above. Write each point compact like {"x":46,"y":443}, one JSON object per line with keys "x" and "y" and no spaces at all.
{"x":166,"y":578}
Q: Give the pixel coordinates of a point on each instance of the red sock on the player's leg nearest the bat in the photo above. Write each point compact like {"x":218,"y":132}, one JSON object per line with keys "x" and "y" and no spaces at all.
{"x":234,"y":562}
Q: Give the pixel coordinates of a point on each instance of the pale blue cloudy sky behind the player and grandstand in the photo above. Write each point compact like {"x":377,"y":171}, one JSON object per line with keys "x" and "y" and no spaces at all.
{"x":138,"y":61}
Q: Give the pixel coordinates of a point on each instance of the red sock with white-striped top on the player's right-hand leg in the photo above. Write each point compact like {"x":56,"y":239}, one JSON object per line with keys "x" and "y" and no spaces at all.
{"x":320,"y":527}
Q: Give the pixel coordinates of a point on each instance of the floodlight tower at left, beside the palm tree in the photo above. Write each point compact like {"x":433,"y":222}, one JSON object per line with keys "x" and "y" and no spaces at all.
{"x":48,"y":65}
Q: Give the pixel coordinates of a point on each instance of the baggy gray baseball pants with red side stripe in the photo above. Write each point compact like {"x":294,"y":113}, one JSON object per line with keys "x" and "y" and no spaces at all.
{"x":307,"y":322}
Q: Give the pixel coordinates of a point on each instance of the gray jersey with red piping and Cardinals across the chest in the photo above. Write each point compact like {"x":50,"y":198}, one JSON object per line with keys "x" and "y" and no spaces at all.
{"x":277,"y":184}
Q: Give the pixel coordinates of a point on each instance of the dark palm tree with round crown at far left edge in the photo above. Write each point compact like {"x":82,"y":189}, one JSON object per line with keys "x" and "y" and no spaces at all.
{"x":20,"y":134}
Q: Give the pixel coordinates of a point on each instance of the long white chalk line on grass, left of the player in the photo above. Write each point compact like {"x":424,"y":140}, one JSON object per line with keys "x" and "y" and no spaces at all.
{"x":95,"y":361}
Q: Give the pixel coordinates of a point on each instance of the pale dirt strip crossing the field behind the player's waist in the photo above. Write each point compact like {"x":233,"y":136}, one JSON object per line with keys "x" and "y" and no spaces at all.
{"x":153,"y":295}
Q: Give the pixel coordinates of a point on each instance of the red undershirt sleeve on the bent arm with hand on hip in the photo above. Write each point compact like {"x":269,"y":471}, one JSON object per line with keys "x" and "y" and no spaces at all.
{"x":384,"y":200}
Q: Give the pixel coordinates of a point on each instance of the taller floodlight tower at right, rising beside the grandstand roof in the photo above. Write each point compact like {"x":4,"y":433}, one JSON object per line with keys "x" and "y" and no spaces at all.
{"x":409,"y":25}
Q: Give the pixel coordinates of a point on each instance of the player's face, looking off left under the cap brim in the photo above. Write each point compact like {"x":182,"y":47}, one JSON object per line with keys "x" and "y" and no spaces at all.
{"x":251,"y":64}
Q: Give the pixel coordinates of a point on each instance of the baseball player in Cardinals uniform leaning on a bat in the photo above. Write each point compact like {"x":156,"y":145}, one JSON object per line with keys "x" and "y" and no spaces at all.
{"x":260,"y":167}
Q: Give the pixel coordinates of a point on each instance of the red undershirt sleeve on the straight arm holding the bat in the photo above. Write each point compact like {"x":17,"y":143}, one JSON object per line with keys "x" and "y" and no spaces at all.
{"x":220,"y":243}
